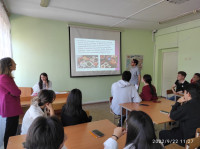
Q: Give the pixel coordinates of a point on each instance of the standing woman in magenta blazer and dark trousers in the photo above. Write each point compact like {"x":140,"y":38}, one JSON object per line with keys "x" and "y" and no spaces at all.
{"x":10,"y":107}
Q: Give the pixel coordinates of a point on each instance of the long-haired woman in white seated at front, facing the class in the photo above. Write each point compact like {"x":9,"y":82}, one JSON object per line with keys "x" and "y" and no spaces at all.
{"x":44,"y":83}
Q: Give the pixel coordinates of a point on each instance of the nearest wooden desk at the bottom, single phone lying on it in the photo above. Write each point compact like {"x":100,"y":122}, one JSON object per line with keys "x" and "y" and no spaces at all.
{"x":78,"y":136}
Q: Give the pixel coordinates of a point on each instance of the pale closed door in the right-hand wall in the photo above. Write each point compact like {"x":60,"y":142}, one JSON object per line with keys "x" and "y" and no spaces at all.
{"x":169,"y":71}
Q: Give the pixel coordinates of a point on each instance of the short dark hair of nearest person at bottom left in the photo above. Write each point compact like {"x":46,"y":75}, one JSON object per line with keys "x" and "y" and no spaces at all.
{"x":45,"y":133}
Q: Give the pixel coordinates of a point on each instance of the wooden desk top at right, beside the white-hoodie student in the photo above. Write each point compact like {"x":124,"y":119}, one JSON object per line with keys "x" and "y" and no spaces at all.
{"x":153,"y":110}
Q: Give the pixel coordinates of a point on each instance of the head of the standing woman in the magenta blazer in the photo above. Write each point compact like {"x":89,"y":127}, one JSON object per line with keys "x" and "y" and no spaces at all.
{"x":7,"y":65}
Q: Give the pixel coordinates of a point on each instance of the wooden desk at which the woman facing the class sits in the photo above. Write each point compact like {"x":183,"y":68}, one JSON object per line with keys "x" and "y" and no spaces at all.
{"x":60,"y":99}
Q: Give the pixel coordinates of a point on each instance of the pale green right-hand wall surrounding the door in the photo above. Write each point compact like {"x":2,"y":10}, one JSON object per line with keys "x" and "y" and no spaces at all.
{"x":184,"y":38}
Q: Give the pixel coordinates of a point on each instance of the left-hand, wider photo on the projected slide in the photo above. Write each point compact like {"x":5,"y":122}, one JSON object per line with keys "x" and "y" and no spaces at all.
{"x":87,"y":61}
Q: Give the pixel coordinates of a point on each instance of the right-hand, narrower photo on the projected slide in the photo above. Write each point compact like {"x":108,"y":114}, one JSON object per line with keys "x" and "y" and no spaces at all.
{"x":108,"y":61}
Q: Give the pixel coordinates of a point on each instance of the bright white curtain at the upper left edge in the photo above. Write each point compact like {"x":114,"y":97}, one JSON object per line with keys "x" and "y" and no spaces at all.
{"x":5,"y":37}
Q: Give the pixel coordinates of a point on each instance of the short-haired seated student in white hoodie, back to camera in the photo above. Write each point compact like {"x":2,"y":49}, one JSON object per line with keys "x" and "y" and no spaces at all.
{"x":122,"y":92}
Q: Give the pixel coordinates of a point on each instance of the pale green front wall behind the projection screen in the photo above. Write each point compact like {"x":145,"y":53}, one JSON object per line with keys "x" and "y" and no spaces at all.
{"x":41,"y":45}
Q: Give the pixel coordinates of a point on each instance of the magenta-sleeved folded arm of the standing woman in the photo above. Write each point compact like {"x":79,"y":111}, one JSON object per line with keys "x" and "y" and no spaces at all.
{"x":11,"y":87}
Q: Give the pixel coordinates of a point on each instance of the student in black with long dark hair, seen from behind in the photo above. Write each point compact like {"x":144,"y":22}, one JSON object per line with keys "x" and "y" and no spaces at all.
{"x":72,"y":112}
